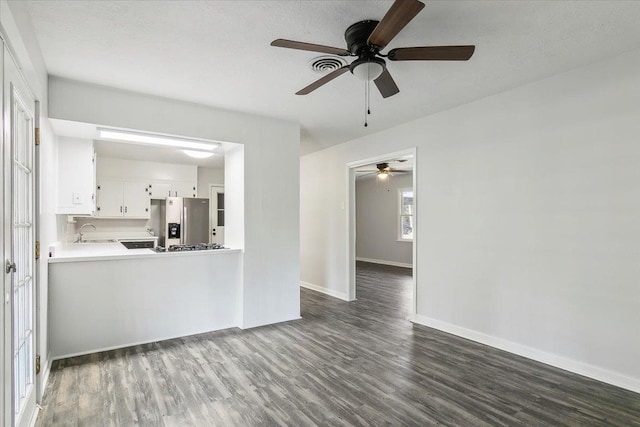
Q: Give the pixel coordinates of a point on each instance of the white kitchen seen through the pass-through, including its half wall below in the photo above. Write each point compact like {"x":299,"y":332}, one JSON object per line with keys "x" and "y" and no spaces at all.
{"x":141,"y":255}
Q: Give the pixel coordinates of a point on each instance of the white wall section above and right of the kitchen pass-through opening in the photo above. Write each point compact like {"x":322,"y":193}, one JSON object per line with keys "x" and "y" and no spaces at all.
{"x":271,"y":198}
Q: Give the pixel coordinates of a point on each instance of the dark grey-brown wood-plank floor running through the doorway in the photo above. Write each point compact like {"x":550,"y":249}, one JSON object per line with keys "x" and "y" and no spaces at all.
{"x":358,"y":363}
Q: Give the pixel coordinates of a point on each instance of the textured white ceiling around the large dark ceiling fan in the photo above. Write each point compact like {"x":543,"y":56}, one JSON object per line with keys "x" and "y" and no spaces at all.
{"x":217,"y":53}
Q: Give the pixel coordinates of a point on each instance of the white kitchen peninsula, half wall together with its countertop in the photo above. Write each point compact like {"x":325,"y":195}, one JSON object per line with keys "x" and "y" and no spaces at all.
{"x":103,"y":296}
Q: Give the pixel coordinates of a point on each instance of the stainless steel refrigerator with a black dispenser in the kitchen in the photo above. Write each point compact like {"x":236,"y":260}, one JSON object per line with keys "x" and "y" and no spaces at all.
{"x":184,"y":221}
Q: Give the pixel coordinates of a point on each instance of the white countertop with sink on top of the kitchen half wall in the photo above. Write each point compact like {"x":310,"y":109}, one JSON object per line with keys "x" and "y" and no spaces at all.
{"x":79,"y":252}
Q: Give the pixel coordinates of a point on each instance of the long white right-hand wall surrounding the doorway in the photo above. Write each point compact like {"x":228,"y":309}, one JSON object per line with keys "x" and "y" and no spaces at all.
{"x":528,"y":218}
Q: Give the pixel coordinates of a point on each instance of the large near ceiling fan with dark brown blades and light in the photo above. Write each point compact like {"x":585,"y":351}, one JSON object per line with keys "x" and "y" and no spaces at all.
{"x":365,"y":40}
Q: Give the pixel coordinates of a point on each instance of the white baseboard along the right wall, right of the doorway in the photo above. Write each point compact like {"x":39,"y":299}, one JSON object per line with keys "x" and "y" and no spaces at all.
{"x":584,"y":369}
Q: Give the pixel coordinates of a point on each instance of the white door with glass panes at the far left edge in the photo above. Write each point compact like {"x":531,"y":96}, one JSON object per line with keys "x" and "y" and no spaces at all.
{"x":19,"y":228}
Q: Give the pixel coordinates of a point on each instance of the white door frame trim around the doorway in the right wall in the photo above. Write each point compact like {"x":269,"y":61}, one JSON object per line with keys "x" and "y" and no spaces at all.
{"x":351,"y":221}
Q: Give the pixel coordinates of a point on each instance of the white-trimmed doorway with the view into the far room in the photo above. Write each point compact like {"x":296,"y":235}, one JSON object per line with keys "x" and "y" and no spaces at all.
{"x":381,"y":214}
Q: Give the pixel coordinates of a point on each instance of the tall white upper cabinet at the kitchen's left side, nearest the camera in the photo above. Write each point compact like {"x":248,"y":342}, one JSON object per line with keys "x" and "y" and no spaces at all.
{"x":76,"y":177}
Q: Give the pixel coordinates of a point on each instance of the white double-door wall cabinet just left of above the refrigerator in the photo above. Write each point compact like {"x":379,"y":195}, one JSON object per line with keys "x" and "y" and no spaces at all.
{"x":117,"y":199}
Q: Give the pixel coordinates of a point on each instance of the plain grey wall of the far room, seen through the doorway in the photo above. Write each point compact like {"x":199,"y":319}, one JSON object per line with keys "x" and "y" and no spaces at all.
{"x":377,"y":221}
